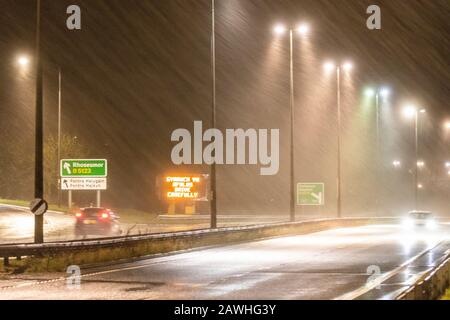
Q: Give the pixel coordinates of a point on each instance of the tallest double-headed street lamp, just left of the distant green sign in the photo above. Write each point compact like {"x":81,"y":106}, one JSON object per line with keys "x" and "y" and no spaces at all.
{"x":302,"y":30}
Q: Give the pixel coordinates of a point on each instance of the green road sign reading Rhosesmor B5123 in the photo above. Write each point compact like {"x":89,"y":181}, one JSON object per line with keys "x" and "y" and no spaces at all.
{"x":84,"y":168}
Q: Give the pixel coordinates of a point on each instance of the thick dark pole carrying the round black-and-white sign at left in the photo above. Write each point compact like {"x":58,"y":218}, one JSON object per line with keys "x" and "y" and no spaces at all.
{"x":39,"y":134}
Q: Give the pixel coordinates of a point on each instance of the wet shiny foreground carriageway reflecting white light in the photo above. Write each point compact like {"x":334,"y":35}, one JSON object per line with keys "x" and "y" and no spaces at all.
{"x":324,"y":265}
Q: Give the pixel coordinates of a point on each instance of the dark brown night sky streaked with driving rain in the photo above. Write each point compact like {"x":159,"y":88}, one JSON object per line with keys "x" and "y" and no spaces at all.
{"x":140,"y":69}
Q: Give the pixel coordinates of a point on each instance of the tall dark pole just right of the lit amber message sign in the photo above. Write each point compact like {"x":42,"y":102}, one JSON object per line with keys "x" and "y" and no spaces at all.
{"x":213,"y":184}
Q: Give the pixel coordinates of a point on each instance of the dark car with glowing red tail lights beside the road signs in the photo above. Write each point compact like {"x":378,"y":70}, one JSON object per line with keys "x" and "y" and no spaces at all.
{"x":96,"y":221}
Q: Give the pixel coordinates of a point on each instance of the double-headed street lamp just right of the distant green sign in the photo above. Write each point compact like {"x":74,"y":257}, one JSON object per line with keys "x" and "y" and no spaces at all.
{"x":330,"y":67}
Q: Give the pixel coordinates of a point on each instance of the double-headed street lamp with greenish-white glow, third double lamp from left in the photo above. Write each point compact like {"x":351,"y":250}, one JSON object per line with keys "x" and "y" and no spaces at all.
{"x":378,"y":93}
